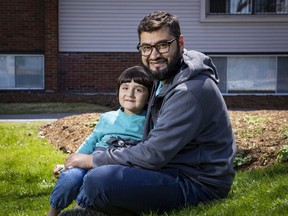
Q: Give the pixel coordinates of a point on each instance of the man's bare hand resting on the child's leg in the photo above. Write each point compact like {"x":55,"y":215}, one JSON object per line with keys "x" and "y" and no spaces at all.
{"x":83,"y":161}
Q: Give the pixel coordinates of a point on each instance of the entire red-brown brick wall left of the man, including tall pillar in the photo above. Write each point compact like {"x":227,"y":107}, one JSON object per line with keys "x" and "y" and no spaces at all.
{"x":31,"y":26}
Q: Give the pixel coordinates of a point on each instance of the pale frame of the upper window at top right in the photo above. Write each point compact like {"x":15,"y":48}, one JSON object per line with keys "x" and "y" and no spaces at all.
{"x":226,"y":18}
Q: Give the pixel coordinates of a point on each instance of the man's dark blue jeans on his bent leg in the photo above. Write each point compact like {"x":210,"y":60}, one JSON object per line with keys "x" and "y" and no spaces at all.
{"x":116,"y":189}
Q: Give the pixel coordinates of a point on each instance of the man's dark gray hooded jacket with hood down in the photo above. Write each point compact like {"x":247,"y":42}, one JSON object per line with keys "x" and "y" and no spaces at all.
{"x":187,"y":128}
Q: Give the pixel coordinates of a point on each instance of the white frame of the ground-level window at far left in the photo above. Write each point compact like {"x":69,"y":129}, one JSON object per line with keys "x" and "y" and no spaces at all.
{"x":26,"y":88}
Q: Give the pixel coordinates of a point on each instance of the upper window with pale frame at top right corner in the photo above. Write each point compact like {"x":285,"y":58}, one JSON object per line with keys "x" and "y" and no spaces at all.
{"x":244,"y":11}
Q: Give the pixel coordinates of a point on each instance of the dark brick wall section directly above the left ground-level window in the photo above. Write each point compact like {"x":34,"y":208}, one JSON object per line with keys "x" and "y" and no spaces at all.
{"x":21,"y":26}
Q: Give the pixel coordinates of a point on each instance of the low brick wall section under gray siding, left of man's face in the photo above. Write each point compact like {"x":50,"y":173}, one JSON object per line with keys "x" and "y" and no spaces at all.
{"x":93,"y":72}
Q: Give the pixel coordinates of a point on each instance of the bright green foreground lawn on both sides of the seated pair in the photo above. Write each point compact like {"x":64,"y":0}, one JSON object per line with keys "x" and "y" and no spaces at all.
{"x":26,"y":180}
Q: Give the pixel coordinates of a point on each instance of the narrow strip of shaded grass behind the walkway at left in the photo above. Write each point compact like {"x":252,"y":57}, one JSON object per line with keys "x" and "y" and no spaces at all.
{"x":34,"y":108}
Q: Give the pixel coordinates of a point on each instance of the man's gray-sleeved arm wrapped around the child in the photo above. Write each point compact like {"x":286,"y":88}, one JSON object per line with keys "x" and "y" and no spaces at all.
{"x":177,"y":125}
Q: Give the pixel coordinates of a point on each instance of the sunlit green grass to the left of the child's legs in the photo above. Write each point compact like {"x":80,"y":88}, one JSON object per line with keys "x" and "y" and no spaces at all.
{"x":26,"y":163}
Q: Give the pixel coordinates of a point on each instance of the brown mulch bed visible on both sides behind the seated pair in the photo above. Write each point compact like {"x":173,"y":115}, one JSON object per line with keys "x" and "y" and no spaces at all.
{"x":259,"y":134}
